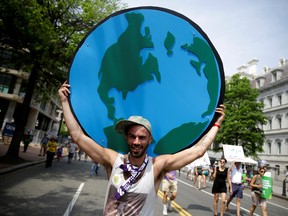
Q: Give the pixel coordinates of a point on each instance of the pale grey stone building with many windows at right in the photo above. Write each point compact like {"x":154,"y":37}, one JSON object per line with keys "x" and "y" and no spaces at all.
{"x":273,"y":87}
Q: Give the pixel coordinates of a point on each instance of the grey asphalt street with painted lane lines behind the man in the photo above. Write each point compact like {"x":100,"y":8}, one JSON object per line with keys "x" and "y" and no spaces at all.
{"x":67,"y":189}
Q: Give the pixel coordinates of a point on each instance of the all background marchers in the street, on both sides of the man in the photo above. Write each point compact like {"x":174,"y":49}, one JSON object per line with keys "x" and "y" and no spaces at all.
{"x":224,"y":178}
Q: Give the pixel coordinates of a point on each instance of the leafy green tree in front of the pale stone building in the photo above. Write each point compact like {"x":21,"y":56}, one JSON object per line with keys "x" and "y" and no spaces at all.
{"x":244,"y":117}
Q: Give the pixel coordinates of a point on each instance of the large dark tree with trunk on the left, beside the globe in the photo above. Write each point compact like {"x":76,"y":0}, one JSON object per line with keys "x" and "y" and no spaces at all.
{"x":40,"y":37}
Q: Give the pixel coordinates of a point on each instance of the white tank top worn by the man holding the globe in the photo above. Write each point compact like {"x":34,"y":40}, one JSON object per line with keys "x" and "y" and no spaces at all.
{"x":138,"y":200}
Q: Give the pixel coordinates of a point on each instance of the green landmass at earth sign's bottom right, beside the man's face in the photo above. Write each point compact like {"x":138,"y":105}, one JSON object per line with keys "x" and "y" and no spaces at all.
{"x":182,"y":135}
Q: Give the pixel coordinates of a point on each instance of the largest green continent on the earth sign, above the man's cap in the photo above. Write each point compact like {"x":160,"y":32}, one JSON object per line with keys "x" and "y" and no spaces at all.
{"x":122,"y":67}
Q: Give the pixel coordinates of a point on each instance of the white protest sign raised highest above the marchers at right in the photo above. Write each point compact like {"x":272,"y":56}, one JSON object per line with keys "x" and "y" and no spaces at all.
{"x":233,"y":153}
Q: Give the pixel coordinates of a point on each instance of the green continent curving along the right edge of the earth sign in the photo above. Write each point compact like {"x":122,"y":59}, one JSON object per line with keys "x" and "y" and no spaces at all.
{"x":206,"y":57}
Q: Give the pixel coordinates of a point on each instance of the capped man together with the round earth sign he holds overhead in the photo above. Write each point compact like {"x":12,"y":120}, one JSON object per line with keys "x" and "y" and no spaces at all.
{"x":150,"y":62}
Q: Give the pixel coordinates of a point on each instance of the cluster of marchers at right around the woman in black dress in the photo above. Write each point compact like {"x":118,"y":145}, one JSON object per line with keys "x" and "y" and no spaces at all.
{"x":228,"y":182}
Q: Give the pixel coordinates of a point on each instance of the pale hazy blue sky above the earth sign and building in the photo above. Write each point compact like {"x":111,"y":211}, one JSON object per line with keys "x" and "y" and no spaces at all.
{"x":239,"y":30}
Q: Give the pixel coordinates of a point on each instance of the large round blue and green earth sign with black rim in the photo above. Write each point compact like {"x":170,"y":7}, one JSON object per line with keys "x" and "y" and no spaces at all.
{"x":150,"y":62}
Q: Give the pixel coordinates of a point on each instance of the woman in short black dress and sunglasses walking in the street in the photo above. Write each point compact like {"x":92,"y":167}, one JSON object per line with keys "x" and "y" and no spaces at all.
{"x":220,"y":175}
